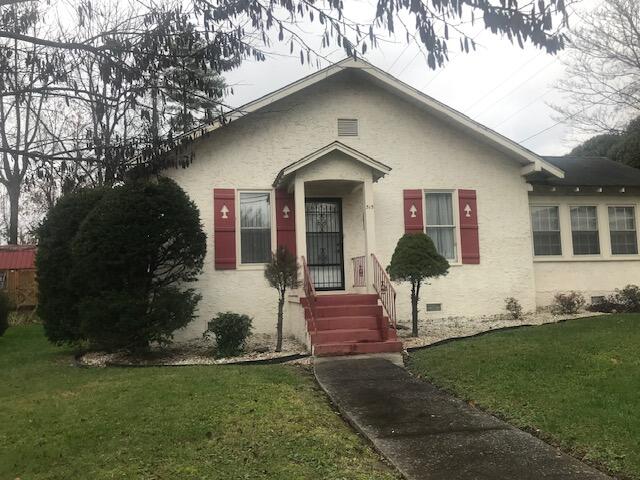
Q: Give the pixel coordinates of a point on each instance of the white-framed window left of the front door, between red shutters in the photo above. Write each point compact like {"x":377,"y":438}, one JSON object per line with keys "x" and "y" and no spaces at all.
{"x":255,"y":227}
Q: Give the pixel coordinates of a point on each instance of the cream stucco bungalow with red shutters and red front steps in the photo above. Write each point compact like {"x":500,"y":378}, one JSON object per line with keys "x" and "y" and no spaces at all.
{"x":340,"y":164}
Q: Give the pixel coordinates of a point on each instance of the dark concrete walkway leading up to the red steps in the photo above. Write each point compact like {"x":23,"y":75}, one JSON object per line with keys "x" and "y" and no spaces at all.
{"x":428,"y":434}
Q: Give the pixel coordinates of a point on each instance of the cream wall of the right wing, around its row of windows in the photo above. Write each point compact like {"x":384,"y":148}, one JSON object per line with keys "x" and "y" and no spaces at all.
{"x":592,"y":275}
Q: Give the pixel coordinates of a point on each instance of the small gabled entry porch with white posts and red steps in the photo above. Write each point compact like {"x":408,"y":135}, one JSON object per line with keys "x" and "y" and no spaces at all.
{"x":347,"y":299}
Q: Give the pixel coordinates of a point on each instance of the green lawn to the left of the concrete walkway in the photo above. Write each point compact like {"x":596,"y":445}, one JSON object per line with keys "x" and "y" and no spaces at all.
{"x":58,"y":421}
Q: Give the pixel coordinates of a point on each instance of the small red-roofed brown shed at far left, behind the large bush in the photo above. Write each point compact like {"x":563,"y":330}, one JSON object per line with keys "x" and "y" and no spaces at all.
{"x":18,"y":275}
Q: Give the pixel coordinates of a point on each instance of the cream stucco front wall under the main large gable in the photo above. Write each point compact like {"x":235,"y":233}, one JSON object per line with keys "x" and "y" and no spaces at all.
{"x":423,"y":152}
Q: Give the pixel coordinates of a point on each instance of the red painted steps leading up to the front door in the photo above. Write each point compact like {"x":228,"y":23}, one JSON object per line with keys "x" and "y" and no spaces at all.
{"x":349,"y":324}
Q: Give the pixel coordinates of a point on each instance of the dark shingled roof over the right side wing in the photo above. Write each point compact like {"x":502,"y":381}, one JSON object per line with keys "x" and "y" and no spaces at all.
{"x":591,"y":172}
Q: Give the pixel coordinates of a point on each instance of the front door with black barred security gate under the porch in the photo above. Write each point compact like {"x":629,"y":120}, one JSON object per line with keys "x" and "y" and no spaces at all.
{"x":324,"y":243}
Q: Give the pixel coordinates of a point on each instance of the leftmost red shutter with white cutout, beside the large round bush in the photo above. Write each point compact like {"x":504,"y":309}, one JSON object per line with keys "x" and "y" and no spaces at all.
{"x":224,"y":224}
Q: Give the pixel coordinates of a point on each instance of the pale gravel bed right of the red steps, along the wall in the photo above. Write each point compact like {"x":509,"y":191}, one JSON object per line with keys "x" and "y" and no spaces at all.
{"x":436,"y":330}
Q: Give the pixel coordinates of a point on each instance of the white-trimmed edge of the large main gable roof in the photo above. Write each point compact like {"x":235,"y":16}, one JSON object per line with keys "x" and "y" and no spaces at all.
{"x":525,"y":157}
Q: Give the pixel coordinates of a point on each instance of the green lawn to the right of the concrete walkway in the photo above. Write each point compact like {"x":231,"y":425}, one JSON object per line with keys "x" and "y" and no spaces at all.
{"x":578,"y":382}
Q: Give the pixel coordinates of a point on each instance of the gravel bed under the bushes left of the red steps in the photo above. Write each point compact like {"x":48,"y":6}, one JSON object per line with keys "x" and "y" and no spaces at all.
{"x":259,"y":347}
